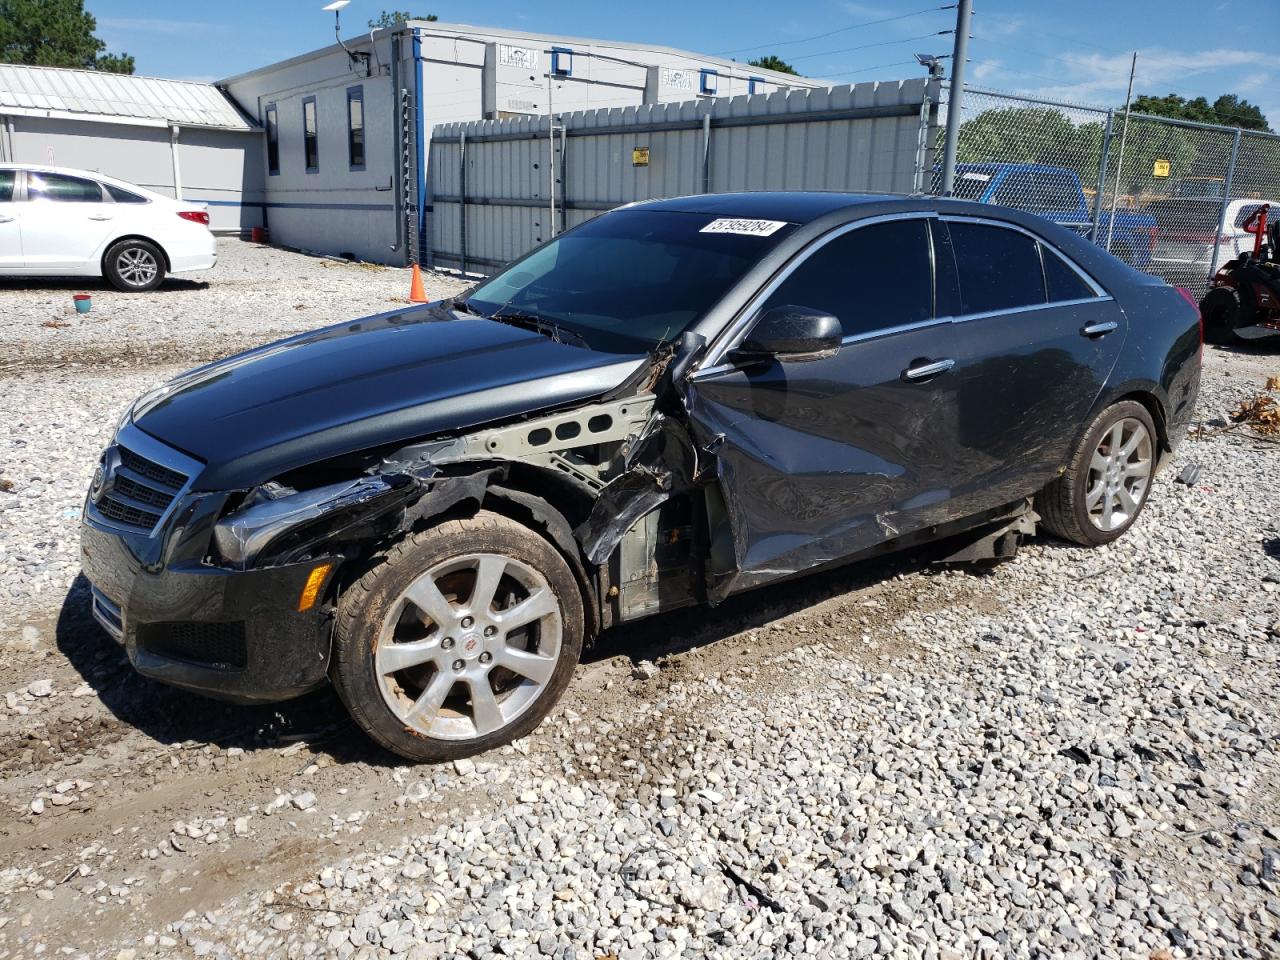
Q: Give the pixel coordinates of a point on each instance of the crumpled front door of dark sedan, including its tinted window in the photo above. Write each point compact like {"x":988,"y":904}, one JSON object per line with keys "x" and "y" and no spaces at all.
{"x":820,"y":460}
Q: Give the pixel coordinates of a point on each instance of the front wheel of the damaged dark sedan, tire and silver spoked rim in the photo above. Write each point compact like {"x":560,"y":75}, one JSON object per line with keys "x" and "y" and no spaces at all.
{"x":461,"y":639}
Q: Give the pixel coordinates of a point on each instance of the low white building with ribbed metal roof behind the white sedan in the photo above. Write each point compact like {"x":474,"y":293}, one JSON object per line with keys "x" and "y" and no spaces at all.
{"x":182,"y":140}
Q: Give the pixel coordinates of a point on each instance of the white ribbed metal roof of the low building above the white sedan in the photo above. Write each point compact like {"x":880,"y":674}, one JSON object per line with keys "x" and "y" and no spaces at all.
{"x":93,"y":95}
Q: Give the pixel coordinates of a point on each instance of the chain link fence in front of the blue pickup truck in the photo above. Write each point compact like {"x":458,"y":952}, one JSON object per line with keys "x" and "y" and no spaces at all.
{"x":1165,"y":196}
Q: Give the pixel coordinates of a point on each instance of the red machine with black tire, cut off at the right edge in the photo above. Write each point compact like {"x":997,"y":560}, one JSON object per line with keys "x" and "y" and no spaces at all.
{"x":1244,"y":304}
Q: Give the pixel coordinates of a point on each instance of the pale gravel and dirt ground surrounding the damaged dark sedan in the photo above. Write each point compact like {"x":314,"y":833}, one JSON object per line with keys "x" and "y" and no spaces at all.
{"x":1073,"y":755}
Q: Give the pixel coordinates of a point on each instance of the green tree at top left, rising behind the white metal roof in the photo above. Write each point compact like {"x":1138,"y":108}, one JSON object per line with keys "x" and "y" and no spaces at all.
{"x":56,"y":34}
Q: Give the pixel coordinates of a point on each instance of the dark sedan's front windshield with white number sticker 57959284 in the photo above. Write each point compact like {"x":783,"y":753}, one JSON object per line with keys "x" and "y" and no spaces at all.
{"x":632,"y":280}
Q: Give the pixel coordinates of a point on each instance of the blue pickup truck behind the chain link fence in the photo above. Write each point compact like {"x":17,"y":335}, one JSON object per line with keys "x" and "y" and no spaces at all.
{"x":1055,"y":194}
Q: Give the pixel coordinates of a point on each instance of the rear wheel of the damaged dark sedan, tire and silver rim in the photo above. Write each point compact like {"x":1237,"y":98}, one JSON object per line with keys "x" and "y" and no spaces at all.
{"x":1108,"y":481}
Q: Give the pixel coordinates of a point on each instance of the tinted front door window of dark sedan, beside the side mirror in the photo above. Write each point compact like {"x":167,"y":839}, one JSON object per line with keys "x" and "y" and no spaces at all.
{"x":871,"y":278}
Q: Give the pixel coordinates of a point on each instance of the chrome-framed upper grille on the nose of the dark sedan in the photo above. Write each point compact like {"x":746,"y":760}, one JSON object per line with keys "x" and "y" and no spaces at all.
{"x":141,"y":481}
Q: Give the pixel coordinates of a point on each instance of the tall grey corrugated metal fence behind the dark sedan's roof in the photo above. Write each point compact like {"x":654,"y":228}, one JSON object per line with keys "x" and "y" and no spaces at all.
{"x":491,"y":181}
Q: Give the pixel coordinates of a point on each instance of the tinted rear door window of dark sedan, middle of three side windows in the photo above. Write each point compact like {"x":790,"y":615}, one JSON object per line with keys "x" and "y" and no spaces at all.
{"x":999,"y":269}
